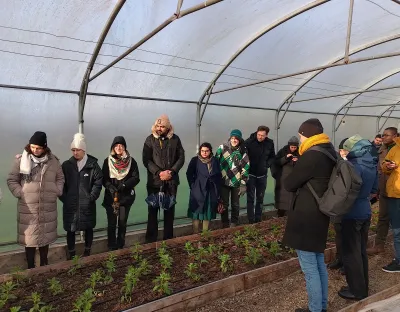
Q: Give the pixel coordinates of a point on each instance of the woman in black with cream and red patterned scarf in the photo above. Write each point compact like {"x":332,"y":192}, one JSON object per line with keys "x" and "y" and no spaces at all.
{"x":121,"y":175}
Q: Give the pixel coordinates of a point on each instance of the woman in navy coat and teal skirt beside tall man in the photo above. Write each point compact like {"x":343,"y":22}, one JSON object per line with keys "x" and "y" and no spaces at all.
{"x":204,"y":179}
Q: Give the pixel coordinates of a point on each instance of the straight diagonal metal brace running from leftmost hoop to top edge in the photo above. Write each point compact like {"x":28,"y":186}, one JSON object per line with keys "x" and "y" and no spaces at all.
{"x":154,"y":32}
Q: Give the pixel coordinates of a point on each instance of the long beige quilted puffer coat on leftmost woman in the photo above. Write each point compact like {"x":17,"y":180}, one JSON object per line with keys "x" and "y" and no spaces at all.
{"x":37,"y":202}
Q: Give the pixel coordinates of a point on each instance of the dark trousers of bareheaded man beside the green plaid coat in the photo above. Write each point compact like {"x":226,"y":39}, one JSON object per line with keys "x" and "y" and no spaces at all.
{"x":255,"y":190}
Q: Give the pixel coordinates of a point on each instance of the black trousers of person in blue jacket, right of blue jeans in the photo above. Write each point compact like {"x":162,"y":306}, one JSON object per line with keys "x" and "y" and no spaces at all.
{"x":355,"y":259}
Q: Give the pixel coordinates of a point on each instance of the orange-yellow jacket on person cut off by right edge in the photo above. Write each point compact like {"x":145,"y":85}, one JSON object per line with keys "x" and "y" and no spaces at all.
{"x":393,"y":183}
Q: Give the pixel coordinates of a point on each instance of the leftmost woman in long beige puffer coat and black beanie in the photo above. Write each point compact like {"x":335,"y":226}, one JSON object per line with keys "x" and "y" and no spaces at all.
{"x":36,"y":180}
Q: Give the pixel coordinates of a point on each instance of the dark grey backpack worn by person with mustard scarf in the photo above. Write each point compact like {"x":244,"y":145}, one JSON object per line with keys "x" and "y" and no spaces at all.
{"x":343,"y":188}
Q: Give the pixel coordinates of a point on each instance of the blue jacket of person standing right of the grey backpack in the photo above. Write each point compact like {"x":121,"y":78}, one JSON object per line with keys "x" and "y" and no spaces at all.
{"x":366,"y":166}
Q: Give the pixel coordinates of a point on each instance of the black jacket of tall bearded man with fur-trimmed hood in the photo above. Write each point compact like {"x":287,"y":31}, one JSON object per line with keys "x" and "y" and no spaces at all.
{"x":160,"y":155}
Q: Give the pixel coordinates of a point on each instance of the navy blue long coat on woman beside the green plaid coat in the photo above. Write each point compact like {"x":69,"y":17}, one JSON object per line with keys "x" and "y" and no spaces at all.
{"x":202,"y":183}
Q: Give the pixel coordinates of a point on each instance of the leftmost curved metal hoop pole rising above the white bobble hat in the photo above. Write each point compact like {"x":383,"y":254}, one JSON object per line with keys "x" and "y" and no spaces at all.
{"x":85,"y":80}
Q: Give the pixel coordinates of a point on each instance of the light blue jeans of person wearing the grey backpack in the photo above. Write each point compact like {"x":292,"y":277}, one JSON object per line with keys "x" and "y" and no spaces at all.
{"x":314,"y":269}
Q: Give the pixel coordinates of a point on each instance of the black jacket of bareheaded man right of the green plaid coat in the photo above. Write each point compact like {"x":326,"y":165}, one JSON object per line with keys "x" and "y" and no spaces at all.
{"x":261,"y":155}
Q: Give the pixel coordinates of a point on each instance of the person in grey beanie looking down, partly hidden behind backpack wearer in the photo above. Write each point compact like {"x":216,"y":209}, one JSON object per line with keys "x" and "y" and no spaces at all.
{"x":285,"y":160}
